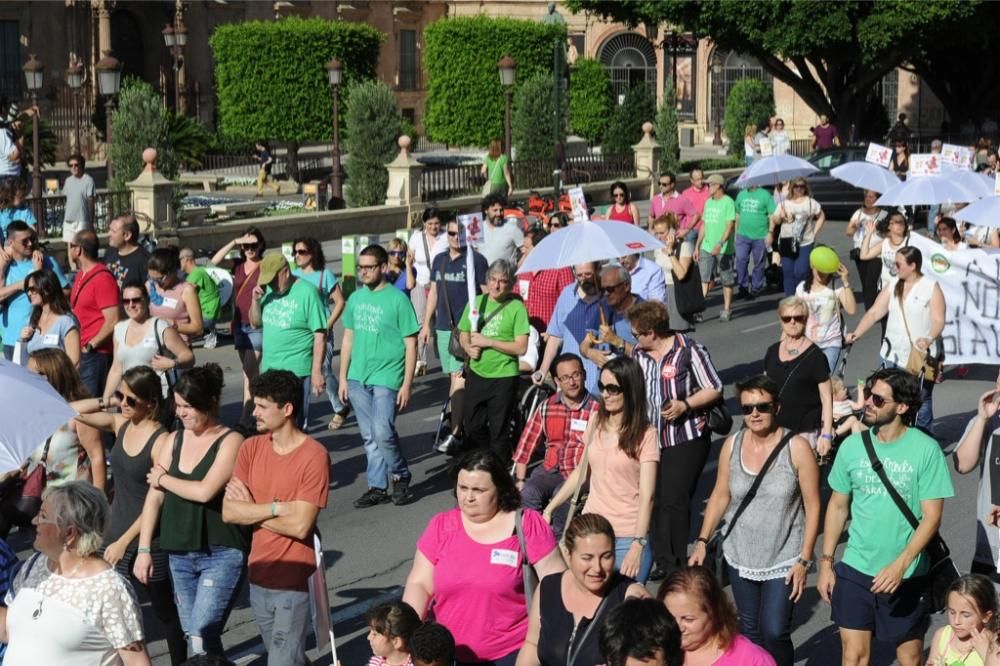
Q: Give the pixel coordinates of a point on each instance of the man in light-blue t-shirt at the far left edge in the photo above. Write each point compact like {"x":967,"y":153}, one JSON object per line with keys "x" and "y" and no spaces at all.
{"x":20,"y":258}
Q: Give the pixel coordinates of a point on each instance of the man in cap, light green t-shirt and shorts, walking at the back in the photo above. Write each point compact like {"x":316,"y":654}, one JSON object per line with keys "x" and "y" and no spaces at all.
{"x":714,"y":250}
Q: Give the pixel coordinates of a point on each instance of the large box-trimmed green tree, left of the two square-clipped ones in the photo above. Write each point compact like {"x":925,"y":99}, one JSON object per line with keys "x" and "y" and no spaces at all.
{"x":271,"y":78}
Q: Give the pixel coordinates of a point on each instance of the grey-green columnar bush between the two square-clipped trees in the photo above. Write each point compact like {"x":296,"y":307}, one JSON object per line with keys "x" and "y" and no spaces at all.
{"x":373,"y":125}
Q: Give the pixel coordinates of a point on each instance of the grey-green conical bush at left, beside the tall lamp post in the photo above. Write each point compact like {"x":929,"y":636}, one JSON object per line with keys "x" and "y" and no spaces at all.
{"x":139,"y":122}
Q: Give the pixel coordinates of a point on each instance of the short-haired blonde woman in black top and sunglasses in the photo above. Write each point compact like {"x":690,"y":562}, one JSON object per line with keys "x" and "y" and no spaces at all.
{"x":802,"y":374}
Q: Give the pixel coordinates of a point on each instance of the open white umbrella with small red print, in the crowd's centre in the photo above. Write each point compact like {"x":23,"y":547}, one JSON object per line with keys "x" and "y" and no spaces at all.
{"x":588,"y":241}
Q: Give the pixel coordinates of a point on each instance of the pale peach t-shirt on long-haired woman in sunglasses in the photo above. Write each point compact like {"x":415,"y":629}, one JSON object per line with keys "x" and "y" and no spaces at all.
{"x":614,"y":480}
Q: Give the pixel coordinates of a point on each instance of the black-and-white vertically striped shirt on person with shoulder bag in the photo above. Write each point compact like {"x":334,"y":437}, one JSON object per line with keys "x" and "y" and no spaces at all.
{"x":684,"y":369}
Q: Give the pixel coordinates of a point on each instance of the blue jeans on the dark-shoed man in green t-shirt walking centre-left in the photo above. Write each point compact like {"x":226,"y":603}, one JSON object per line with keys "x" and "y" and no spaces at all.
{"x":375,"y":410}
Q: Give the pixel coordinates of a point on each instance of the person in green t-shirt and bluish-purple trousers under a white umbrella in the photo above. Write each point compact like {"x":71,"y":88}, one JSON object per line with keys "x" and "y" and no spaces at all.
{"x":754,"y":207}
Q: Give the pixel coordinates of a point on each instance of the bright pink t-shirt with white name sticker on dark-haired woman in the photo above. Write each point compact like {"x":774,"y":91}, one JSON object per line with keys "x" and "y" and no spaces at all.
{"x":478,"y":588}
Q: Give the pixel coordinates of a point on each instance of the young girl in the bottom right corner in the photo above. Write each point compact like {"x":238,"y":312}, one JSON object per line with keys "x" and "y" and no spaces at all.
{"x":972,"y":626}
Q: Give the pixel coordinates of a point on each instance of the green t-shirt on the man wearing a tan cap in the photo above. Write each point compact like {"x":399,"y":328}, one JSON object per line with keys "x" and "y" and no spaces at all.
{"x":289,"y":322}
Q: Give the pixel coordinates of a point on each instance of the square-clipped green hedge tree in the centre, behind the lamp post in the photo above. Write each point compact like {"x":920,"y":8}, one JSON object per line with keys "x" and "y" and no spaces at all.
{"x":465,"y":102}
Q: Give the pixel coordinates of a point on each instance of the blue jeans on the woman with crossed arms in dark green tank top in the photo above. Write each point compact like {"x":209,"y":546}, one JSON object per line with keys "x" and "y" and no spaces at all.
{"x":206,"y":584}
